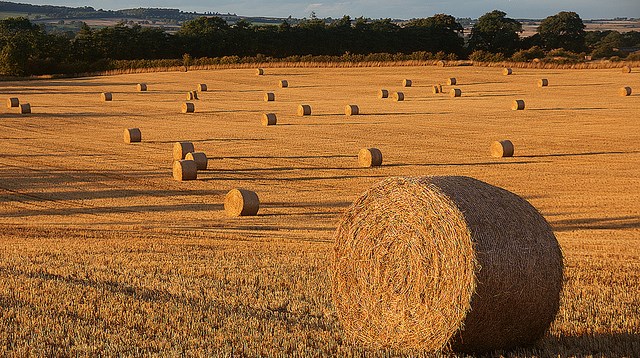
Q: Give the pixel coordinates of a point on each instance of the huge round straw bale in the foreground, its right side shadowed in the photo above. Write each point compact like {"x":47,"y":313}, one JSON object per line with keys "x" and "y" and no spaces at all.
{"x":431,"y":262}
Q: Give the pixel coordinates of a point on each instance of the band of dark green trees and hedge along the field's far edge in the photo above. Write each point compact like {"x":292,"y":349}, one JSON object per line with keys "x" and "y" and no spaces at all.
{"x":26,"y":49}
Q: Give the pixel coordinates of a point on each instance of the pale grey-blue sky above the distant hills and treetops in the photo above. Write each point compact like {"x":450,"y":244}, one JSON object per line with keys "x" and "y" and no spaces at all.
{"x":401,"y":9}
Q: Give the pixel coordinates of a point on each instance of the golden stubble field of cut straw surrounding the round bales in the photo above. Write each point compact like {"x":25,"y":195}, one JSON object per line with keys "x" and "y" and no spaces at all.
{"x":102,"y":252}
